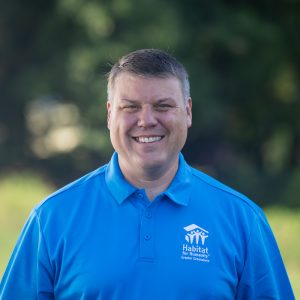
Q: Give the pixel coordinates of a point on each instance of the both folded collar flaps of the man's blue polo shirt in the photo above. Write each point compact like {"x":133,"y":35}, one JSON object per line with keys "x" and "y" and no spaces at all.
{"x":121,"y":189}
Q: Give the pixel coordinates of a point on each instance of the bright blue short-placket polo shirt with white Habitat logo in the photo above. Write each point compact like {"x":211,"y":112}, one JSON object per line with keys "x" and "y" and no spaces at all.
{"x":101,"y":238}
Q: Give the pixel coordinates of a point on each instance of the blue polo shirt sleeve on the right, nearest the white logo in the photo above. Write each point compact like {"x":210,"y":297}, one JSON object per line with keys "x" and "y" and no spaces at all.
{"x":264,"y":275}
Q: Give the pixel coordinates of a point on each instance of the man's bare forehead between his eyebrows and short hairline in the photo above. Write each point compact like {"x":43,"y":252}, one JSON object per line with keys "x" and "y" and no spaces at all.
{"x":135,"y":87}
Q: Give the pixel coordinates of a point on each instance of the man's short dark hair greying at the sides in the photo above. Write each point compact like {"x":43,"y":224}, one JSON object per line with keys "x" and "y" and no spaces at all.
{"x":149,"y":63}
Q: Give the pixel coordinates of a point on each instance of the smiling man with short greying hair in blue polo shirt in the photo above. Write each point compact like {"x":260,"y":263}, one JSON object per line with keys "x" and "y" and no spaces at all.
{"x":146,"y":225}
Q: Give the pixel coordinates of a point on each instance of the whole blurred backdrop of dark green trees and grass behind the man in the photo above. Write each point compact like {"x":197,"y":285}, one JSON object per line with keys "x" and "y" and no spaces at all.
{"x":243,"y":58}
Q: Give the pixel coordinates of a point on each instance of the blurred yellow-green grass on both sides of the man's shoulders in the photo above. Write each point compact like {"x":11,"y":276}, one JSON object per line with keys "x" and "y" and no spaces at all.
{"x":20,"y":192}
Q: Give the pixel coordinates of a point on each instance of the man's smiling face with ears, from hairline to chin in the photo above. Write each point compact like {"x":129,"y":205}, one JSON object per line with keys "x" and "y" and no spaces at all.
{"x":148,"y":122}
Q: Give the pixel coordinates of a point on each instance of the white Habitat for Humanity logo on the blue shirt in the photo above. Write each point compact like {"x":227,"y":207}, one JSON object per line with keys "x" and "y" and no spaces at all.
{"x":194,"y":247}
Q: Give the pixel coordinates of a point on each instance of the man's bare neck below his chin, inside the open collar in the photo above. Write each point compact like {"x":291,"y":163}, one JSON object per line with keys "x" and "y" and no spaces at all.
{"x":154,"y":181}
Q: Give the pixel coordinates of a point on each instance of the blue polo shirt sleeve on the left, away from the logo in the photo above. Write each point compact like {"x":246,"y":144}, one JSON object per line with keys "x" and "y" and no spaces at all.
{"x":28,"y":274}
